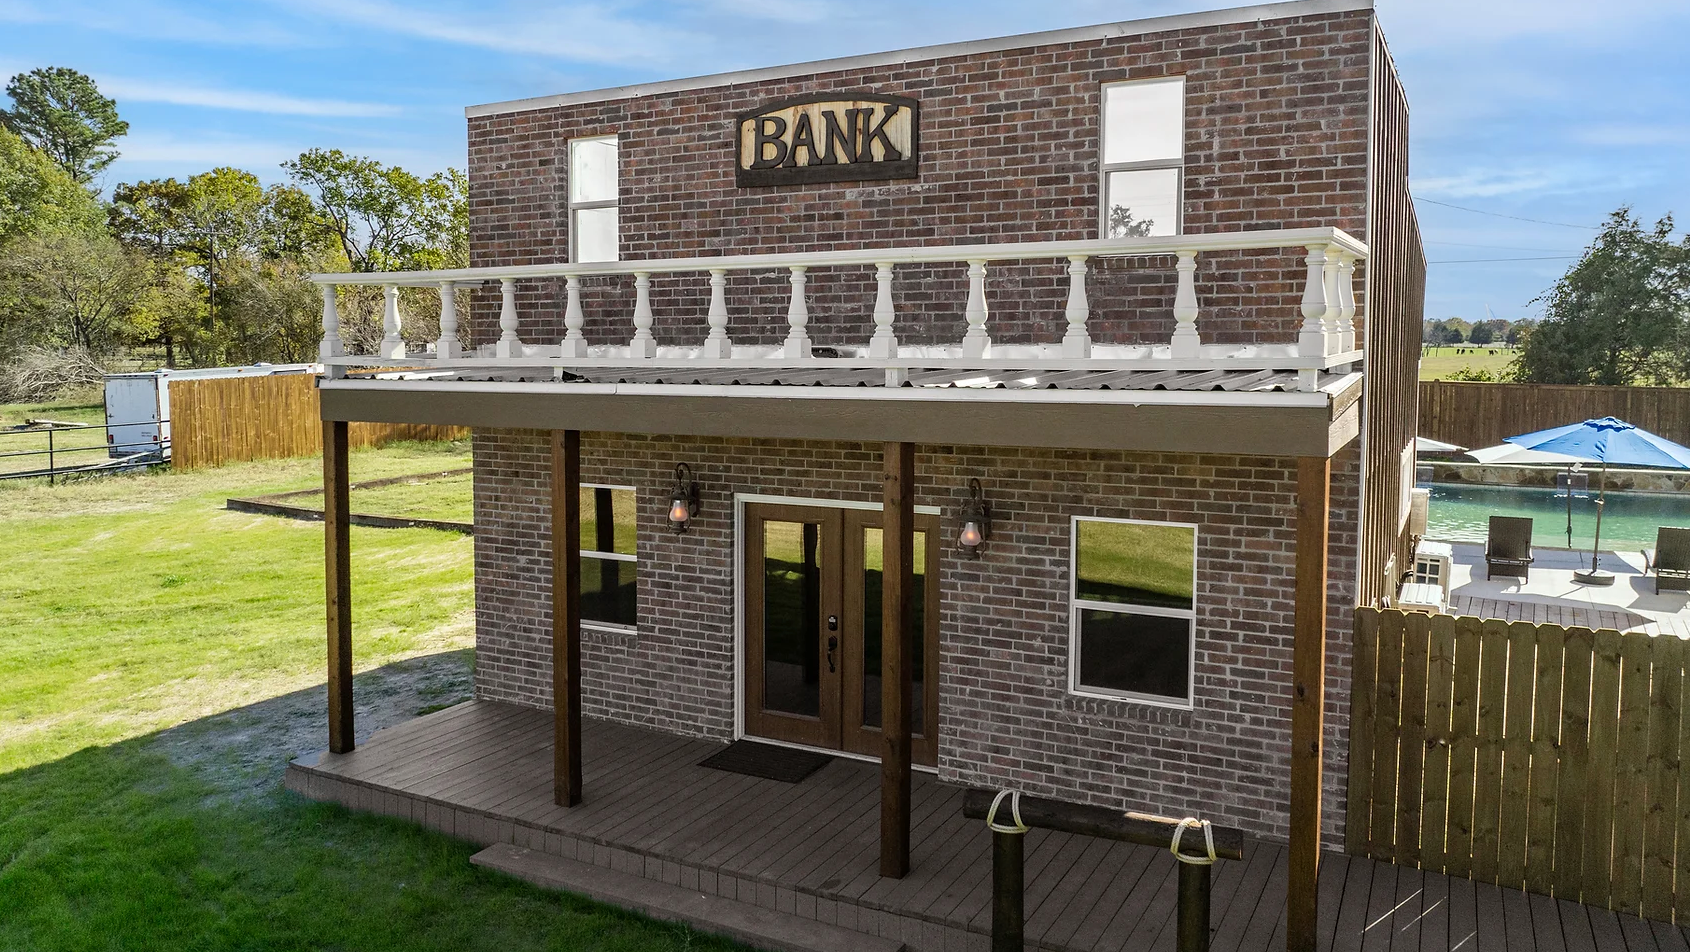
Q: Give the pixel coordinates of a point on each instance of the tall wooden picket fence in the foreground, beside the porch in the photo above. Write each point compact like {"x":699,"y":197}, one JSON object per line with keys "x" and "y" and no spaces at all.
{"x":1525,"y":755}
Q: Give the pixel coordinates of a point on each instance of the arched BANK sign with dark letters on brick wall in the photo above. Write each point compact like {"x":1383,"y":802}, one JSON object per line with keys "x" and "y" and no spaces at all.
{"x":829,"y":140}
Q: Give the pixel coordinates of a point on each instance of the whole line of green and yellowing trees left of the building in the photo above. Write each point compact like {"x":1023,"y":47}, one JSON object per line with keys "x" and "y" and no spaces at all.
{"x":210,"y":270}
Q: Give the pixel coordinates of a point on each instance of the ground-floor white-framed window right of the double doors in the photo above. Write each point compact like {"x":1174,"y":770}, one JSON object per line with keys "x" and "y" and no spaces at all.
{"x":1133,"y":611}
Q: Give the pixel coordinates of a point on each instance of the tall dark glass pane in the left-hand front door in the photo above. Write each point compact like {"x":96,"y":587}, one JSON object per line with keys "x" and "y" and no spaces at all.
{"x":792,"y":618}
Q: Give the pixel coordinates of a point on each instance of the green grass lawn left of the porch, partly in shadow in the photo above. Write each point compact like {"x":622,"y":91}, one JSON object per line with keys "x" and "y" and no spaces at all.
{"x":163,"y":659}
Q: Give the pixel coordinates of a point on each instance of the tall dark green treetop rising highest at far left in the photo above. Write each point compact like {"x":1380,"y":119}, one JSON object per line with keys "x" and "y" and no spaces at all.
{"x":63,"y":114}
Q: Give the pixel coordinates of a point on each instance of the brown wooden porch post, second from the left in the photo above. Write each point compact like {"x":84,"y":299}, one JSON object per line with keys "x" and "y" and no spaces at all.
{"x":567,"y":615}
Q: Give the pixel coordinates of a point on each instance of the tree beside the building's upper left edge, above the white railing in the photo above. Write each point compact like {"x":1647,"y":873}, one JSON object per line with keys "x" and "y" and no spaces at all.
{"x":386,"y":219}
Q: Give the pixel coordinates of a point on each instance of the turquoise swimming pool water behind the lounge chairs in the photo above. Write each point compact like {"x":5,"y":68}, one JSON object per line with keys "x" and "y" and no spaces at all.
{"x":1463,"y":515}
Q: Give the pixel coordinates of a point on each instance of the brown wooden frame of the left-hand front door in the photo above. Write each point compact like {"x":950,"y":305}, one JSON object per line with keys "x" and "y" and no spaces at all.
{"x":792,"y":728}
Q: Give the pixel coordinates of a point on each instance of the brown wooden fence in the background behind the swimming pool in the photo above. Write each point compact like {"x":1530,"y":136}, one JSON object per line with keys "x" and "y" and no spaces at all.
{"x":1485,"y":415}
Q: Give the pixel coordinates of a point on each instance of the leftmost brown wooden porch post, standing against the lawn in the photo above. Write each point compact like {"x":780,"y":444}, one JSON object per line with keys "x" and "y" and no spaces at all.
{"x":337,"y":583}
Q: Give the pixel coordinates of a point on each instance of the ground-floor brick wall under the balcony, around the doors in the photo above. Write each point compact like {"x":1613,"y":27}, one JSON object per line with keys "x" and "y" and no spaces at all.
{"x":1006,"y":718}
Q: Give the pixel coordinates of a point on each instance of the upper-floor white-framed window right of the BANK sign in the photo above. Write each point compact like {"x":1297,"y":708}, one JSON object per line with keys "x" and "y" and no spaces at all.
{"x":1143,"y":158}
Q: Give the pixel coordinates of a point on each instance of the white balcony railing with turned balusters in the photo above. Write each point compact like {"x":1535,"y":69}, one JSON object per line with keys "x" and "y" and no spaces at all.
{"x":1326,"y":339}
